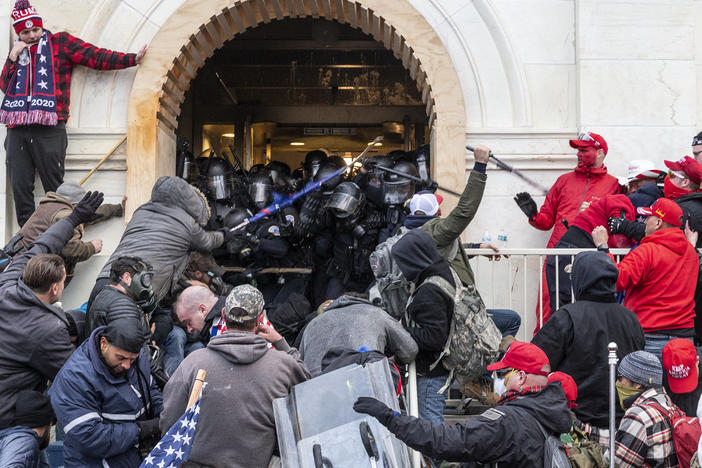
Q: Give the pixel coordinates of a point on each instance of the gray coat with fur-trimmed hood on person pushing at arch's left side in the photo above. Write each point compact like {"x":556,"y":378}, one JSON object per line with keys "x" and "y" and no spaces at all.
{"x":165,"y":230}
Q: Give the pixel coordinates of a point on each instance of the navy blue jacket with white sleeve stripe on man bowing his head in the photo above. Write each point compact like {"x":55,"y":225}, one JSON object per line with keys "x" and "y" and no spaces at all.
{"x":98,"y":411}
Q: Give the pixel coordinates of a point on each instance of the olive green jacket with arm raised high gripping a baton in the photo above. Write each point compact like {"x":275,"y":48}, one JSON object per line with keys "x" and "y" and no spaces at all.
{"x":447,"y":231}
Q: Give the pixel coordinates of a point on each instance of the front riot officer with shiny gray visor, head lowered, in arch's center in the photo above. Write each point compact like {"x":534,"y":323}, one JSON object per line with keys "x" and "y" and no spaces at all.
{"x":355,"y":237}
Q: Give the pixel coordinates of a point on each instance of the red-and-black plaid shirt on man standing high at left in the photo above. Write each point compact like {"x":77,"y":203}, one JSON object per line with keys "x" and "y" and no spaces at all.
{"x":69,"y":51}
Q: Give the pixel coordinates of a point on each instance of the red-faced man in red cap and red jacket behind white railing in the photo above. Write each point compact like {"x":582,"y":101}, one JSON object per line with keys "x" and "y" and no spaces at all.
{"x":572,"y":193}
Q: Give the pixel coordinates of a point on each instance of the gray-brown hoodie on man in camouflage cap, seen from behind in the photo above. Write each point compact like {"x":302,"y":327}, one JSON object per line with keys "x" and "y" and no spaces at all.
{"x":236,"y":428}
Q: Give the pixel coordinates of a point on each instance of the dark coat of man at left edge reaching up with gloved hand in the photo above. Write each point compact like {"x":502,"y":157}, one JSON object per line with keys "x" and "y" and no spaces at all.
{"x":34,"y":340}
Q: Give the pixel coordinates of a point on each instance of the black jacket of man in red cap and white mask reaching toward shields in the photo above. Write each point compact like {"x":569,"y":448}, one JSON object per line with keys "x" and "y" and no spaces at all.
{"x":508,"y":435}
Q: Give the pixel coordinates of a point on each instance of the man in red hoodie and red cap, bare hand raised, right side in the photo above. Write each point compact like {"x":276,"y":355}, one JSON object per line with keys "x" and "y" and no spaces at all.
{"x":659,"y":276}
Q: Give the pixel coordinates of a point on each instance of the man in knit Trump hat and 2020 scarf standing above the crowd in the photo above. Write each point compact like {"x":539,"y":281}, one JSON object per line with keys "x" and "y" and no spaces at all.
{"x":36,"y":80}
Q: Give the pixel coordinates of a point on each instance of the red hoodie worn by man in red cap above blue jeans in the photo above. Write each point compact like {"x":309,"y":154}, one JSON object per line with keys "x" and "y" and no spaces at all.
{"x":659,"y":277}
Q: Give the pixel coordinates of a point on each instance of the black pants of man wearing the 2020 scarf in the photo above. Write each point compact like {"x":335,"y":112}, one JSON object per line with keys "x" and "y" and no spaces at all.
{"x":30,"y":148}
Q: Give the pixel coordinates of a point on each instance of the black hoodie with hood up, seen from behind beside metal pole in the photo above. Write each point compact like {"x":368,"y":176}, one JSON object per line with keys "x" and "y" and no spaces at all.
{"x":575,"y":338}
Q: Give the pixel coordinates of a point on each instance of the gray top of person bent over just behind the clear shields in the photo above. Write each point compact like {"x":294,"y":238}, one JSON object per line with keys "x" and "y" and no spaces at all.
{"x":352,"y":322}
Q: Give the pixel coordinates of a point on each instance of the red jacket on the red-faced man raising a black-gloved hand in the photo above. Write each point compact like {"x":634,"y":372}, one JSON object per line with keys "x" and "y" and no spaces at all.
{"x":567,"y":194}
